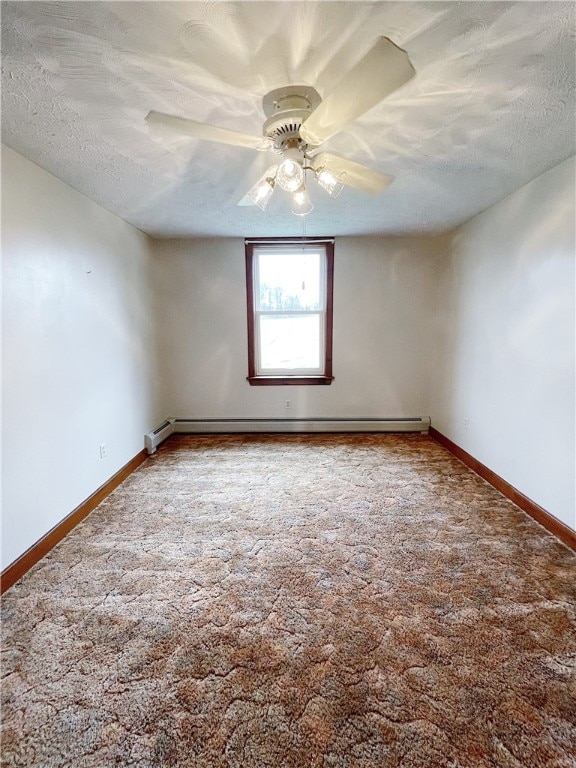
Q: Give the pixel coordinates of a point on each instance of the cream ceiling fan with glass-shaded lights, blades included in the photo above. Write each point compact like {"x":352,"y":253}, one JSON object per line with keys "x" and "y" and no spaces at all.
{"x":299,"y":122}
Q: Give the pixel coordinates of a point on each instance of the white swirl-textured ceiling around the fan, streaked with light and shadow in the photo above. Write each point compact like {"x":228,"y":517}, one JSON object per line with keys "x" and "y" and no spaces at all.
{"x":491,"y":106}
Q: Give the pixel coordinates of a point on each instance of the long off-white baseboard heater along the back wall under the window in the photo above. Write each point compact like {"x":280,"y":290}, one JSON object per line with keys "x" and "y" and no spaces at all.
{"x":223,"y":426}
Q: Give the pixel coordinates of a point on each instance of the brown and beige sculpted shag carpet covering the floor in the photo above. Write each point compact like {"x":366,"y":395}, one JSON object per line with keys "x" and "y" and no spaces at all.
{"x":295,"y":602}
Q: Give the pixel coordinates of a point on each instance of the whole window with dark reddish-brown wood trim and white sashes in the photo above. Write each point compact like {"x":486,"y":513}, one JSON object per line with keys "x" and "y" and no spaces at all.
{"x":289,"y":292}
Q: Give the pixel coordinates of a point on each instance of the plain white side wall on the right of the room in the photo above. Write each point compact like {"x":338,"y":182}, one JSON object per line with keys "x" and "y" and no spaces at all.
{"x":506,"y":329}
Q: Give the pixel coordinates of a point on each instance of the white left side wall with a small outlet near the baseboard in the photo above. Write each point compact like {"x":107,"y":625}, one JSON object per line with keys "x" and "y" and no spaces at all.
{"x":78,"y":349}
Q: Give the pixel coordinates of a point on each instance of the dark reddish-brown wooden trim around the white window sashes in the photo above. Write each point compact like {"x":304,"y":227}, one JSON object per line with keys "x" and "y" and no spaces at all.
{"x":286,"y":379}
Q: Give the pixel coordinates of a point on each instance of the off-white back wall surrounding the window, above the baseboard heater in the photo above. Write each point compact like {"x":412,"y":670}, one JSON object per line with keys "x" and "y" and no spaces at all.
{"x":384,"y":293}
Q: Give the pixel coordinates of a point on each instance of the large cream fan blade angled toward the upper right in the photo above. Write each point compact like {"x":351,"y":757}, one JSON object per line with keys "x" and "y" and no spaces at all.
{"x":384,"y":69}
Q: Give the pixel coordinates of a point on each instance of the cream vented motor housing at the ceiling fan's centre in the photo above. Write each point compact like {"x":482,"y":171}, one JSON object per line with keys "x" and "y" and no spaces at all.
{"x":286,"y":109}
